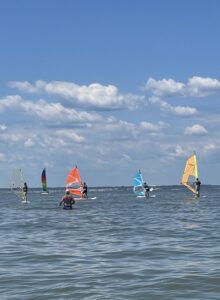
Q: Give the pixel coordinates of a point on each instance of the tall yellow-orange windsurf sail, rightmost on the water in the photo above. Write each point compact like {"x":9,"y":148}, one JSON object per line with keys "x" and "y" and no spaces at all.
{"x":190,"y":173}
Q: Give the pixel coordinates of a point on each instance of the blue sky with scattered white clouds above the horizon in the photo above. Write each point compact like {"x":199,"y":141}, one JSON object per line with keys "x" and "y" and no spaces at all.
{"x":112,"y":86}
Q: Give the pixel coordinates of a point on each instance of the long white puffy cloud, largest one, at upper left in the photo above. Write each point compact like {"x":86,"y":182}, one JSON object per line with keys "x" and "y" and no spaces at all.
{"x":95,"y":95}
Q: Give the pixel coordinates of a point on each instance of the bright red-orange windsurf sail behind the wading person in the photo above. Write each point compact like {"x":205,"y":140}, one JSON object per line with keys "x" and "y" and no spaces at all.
{"x":73,"y":183}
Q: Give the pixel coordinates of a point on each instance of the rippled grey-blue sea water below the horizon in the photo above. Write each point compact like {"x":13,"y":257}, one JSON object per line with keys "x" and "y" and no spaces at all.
{"x":113,"y":247}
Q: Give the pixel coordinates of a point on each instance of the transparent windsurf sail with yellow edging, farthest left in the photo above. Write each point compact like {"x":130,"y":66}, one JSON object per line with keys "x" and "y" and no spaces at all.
{"x":17,"y":183}
